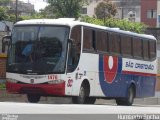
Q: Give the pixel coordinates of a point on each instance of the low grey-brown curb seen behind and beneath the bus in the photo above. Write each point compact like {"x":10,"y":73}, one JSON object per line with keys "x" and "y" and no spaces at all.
{"x":57,"y":100}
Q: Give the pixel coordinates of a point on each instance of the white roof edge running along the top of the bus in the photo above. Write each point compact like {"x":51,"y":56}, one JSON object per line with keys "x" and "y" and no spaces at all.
{"x":72,"y":22}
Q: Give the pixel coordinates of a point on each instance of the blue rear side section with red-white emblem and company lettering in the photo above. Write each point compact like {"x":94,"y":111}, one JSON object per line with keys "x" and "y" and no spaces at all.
{"x":117,"y":77}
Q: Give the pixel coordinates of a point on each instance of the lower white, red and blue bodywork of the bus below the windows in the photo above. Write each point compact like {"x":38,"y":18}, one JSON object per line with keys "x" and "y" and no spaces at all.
{"x":108,"y":76}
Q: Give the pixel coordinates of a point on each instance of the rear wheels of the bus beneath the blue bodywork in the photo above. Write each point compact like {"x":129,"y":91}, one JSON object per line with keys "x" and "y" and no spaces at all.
{"x":129,"y":99}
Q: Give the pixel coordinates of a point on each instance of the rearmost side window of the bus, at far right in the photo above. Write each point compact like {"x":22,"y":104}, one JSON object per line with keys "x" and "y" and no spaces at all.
{"x":152,"y":49}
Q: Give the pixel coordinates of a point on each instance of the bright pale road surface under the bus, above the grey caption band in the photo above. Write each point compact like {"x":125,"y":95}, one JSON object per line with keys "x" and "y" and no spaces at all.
{"x":29,"y":108}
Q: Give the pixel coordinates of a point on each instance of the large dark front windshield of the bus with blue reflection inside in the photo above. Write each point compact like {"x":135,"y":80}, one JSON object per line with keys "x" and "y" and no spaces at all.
{"x":38,"y":49}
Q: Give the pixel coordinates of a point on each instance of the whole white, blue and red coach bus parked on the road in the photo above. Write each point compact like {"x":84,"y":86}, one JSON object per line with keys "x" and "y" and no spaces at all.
{"x":68,"y":58}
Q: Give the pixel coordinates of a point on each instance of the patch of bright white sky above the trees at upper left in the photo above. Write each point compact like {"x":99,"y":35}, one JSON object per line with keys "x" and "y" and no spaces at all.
{"x":38,"y":4}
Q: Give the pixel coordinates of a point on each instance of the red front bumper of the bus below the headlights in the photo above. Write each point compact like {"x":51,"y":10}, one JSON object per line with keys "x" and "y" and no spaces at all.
{"x":42,"y":89}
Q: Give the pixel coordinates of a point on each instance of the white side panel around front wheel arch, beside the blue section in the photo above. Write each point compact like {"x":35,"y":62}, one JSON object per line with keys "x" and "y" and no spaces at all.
{"x":86,"y":70}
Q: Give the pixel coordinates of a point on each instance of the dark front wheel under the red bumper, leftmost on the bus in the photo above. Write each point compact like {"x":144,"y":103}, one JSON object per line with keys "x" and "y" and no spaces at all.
{"x":32,"y":98}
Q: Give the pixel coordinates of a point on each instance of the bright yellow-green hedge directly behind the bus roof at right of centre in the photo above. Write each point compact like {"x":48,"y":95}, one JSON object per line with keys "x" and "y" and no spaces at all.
{"x":116,"y":23}
